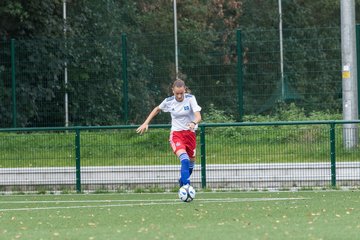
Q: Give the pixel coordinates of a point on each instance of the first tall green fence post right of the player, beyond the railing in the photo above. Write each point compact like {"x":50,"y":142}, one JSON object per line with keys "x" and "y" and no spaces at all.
{"x":240,"y":73}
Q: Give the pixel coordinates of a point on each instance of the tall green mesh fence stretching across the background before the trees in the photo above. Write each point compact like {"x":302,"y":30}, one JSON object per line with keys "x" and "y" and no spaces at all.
{"x":119,"y":80}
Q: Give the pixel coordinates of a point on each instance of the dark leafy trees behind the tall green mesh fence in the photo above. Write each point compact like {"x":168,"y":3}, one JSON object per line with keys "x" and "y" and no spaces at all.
{"x":92,"y":49}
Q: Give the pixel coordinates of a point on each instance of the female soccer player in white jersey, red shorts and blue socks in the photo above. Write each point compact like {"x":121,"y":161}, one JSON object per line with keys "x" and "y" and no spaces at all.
{"x":185,"y":117}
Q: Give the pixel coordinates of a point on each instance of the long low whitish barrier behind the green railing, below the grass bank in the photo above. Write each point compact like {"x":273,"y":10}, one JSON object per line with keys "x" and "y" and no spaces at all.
{"x":218,"y":175}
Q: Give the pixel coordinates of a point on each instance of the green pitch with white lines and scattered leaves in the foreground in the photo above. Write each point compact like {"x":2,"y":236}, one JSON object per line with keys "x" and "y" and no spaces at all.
{"x":220,"y":215}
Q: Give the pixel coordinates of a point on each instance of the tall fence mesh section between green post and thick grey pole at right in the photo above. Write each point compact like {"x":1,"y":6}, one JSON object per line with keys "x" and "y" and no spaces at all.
{"x":311,"y":75}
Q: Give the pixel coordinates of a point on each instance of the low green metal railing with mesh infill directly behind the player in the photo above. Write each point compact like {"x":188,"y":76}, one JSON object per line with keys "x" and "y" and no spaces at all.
{"x":245,"y":155}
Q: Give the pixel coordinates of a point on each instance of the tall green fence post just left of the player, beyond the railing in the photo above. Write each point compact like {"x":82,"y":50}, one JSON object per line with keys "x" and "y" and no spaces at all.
{"x":124,"y":77}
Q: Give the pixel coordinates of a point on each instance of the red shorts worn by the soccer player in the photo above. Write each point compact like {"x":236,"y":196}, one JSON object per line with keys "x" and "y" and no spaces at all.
{"x":183,"y":140}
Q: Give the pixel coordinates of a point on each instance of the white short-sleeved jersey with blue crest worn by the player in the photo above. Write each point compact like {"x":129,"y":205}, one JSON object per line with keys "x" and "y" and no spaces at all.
{"x":182,"y":113}
